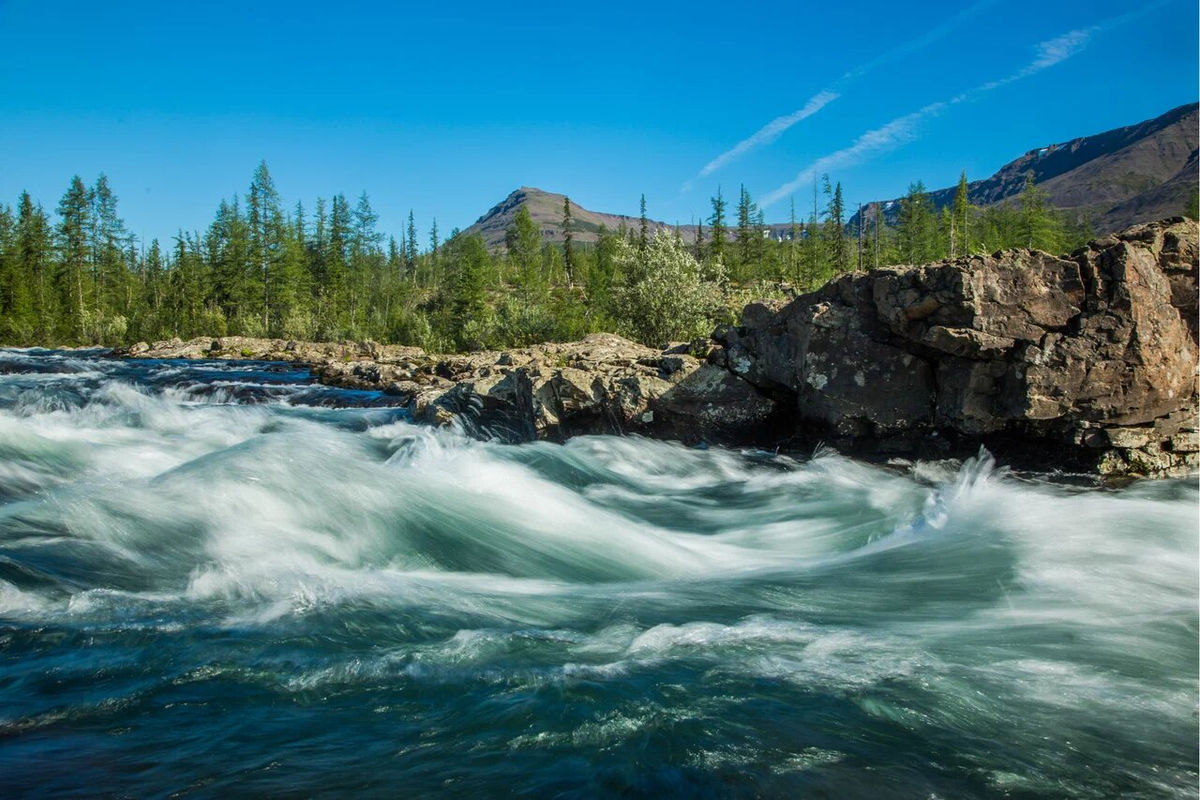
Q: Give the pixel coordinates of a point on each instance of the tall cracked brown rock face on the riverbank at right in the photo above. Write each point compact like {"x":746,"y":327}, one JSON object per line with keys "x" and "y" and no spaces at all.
{"x":1096,"y":353}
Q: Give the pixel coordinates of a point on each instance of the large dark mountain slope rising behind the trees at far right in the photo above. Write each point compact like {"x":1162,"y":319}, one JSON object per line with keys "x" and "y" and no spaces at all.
{"x":1119,"y":178}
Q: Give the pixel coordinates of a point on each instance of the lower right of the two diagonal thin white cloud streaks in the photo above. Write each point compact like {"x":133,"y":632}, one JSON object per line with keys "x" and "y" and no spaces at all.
{"x":904,"y":130}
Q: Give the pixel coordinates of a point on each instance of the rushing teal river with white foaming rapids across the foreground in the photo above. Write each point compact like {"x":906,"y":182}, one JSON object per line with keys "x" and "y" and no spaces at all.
{"x":223,"y":580}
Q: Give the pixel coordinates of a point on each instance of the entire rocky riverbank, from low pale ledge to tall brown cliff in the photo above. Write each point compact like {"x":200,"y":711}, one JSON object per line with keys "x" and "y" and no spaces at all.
{"x":1087,"y":363}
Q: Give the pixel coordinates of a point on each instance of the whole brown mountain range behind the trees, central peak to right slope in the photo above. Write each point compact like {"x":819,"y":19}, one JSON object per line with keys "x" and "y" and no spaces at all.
{"x":1138,"y":173}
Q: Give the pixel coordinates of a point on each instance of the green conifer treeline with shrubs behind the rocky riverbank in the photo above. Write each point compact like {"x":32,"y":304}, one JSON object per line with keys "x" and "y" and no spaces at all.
{"x":327,"y":273}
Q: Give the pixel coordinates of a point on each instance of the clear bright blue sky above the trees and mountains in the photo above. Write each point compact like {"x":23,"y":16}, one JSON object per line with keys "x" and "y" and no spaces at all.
{"x":446,"y":109}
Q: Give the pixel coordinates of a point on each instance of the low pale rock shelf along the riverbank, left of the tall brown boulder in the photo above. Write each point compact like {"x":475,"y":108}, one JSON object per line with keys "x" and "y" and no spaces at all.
{"x":601,"y":384}
